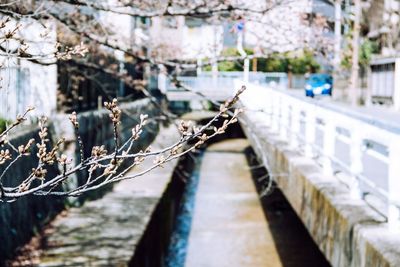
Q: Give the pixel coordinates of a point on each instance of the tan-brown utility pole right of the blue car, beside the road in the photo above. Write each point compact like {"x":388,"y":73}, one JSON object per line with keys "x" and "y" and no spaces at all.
{"x":353,"y":92}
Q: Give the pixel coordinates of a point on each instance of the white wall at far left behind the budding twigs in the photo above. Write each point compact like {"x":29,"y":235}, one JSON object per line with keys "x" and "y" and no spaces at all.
{"x":25,"y":83}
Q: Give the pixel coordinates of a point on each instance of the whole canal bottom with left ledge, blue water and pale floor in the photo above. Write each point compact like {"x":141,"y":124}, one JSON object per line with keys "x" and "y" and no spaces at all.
{"x":219,"y":221}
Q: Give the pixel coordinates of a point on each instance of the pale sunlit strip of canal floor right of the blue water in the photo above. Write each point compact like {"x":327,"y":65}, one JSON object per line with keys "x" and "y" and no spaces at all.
{"x":229,"y":228}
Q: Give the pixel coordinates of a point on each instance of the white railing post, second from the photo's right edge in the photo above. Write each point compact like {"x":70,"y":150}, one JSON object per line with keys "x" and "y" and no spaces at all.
{"x":356,"y":165}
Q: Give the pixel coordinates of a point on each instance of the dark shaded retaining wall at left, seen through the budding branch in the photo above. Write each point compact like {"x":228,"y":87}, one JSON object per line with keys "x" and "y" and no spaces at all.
{"x":20,"y":220}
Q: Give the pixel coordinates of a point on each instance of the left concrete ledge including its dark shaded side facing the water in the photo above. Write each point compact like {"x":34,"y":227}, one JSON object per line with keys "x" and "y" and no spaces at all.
{"x":129,"y":226}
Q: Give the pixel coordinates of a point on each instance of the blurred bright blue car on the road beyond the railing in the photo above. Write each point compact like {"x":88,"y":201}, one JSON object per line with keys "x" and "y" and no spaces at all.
{"x":318,"y":84}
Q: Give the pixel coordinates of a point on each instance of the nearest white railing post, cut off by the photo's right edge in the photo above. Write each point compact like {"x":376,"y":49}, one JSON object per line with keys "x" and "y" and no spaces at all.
{"x":394,"y":185}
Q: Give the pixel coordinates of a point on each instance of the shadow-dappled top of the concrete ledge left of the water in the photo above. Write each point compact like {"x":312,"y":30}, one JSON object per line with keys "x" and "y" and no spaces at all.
{"x":105,"y":232}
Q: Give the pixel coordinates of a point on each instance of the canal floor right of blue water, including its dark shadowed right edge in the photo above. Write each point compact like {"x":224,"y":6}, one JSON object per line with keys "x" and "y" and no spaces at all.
{"x":229,"y":227}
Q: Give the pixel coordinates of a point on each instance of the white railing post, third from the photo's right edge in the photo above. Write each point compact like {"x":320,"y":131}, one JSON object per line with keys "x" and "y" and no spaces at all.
{"x":328,"y":147}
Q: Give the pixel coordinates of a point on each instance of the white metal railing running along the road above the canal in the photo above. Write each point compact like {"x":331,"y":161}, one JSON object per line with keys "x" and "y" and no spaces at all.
{"x":334,"y":135}
